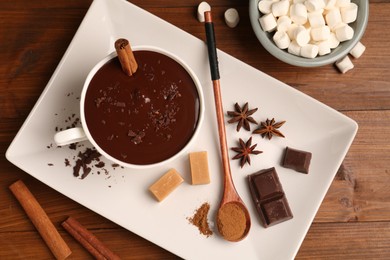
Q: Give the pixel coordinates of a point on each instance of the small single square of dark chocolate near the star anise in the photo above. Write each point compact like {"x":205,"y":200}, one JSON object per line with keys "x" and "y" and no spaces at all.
{"x":297,"y":160}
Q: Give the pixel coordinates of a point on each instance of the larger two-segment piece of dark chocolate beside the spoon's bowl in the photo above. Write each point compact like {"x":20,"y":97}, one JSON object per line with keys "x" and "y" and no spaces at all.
{"x":269,"y":198}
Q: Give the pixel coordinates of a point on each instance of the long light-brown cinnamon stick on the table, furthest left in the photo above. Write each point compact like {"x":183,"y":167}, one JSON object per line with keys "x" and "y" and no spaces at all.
{"x":40,"y":220}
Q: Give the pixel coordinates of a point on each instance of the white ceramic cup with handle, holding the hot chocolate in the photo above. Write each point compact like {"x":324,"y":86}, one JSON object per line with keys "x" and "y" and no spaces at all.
{"x":78,"y":134}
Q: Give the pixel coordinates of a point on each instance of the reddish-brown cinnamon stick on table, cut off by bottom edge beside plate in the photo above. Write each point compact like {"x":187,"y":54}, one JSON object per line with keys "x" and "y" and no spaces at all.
{"x":88,"y":240}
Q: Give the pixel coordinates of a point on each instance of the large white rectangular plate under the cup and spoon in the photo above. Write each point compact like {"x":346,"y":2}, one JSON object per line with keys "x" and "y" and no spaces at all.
{"x":121,"y":194}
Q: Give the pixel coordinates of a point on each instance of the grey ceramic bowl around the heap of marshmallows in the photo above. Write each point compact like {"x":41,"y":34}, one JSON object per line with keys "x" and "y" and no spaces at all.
{"x":342,"y":50}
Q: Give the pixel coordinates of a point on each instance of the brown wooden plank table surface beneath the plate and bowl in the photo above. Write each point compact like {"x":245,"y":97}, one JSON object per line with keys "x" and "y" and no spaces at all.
{"x":353,"y":221}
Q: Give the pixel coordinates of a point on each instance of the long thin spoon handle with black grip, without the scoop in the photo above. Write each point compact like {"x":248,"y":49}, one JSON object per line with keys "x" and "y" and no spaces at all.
{"x":229,"y":193}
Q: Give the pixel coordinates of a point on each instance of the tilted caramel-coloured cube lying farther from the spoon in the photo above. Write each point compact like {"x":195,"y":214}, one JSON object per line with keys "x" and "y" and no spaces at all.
{"x":166,"y":184}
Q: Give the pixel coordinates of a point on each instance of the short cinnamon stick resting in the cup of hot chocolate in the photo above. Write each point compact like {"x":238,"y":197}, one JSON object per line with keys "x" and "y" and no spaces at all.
{"x":126,"y":56}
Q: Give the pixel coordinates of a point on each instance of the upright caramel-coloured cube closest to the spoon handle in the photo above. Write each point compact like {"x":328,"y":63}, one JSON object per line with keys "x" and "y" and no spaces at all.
{"x":199,"y":168}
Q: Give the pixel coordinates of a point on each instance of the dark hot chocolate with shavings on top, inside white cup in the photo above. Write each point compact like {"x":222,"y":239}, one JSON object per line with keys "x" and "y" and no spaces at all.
{"x":145,"y":118}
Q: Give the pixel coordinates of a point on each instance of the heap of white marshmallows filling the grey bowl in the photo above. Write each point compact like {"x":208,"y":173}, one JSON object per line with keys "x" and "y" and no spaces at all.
{"x":320,"y":23}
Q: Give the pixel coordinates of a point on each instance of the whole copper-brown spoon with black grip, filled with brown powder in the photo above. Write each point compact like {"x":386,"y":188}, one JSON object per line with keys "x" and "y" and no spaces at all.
{"x":233,"y":219}
